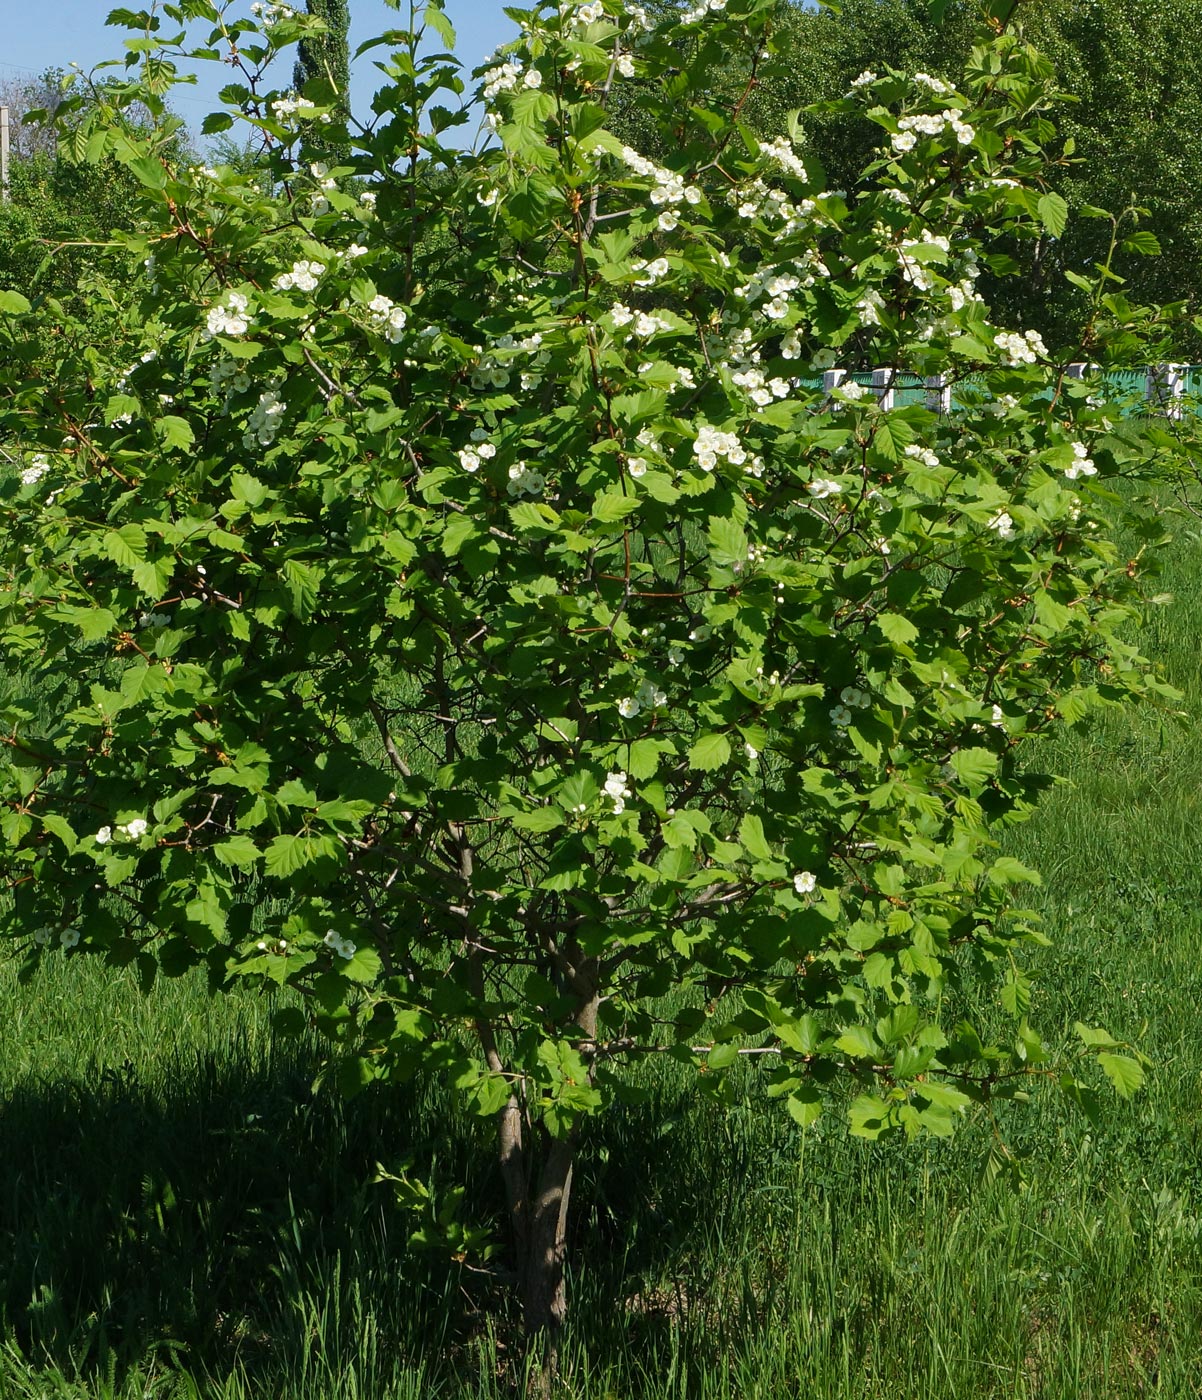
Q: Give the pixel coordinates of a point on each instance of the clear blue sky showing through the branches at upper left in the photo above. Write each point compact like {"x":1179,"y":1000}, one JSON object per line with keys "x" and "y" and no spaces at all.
{"x":41,"y":34}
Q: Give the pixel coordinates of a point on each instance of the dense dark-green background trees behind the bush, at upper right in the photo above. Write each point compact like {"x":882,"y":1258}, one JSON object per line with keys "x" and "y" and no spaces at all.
{"x":1134,"y":72}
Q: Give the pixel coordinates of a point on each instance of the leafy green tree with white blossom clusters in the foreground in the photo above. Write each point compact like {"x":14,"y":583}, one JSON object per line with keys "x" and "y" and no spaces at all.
{"x":471,"y":565}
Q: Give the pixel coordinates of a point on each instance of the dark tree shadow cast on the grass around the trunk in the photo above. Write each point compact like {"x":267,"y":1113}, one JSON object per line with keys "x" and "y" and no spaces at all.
{"x":225,"y":1219}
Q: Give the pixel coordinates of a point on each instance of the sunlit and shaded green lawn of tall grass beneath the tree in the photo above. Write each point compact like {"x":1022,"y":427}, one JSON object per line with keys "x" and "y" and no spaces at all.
{"x":180,"y":1217}
